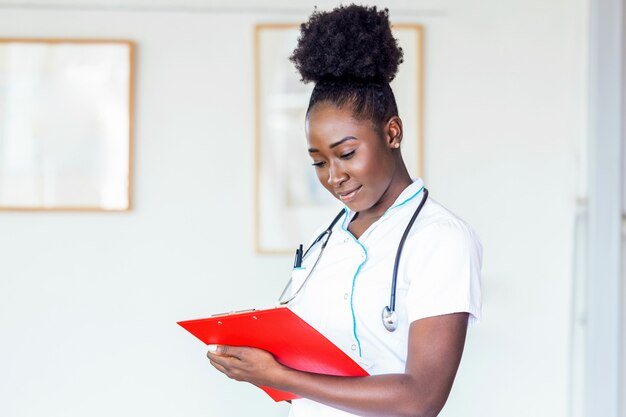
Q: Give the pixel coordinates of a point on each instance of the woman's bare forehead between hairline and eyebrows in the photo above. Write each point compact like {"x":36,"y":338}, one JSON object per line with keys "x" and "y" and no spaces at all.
{"x":327,"y":121}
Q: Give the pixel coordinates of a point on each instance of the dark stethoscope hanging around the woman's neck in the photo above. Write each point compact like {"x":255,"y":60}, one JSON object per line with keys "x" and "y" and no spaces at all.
{"x":389,"y":316}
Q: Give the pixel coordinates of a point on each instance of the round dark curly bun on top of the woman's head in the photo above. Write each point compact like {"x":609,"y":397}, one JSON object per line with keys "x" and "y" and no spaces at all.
{"x":352,"y":43}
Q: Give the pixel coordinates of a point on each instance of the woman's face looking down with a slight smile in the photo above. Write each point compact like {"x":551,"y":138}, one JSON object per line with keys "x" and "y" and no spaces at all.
{"x":352,"y":159}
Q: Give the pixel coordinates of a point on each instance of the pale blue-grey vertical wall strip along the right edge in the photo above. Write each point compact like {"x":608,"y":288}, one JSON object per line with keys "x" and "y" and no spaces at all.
{"x":604,"y":327}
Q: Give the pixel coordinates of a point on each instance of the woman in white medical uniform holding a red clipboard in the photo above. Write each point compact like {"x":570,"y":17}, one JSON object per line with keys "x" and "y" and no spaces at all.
{"x":354,"y":135}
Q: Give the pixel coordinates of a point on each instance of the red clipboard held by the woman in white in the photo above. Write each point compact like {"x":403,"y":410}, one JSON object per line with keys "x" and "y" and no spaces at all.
{"x":291,"y":340}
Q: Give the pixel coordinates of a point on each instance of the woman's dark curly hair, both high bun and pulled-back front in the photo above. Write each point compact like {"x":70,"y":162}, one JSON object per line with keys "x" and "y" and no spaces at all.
{"x":352,"y":56}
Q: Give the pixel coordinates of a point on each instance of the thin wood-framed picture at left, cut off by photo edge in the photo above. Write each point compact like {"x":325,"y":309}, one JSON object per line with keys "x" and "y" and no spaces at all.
{"x":65,"y":124}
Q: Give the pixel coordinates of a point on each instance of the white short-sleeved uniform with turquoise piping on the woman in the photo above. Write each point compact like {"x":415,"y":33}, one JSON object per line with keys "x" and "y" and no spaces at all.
{"x":439,"y":273}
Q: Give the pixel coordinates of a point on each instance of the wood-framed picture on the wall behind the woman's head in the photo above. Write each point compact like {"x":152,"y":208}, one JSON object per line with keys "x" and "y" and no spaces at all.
{"x":290,"y":204}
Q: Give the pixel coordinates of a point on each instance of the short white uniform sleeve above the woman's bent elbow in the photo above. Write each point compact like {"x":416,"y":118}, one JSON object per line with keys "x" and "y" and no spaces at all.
{"x":443,"y":271}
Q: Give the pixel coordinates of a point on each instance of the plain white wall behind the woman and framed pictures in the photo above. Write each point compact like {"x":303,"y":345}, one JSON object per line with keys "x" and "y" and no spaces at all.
{"x":88,"y":301}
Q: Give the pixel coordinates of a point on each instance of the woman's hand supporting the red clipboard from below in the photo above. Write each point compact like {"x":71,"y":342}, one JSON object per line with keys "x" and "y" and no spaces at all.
{"x":248,"y":364}
